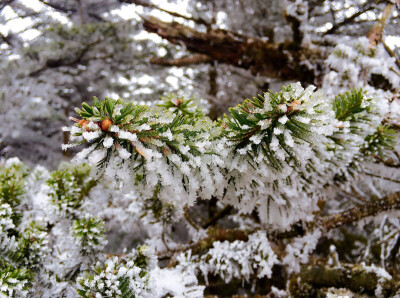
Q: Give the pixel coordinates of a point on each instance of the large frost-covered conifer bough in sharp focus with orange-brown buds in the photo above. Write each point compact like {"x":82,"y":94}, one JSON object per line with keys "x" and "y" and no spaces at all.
{"x":272,"y":153}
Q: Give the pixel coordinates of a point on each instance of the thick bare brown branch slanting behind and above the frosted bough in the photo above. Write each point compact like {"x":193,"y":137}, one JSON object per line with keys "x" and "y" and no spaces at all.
{"x":260,"y":56}
